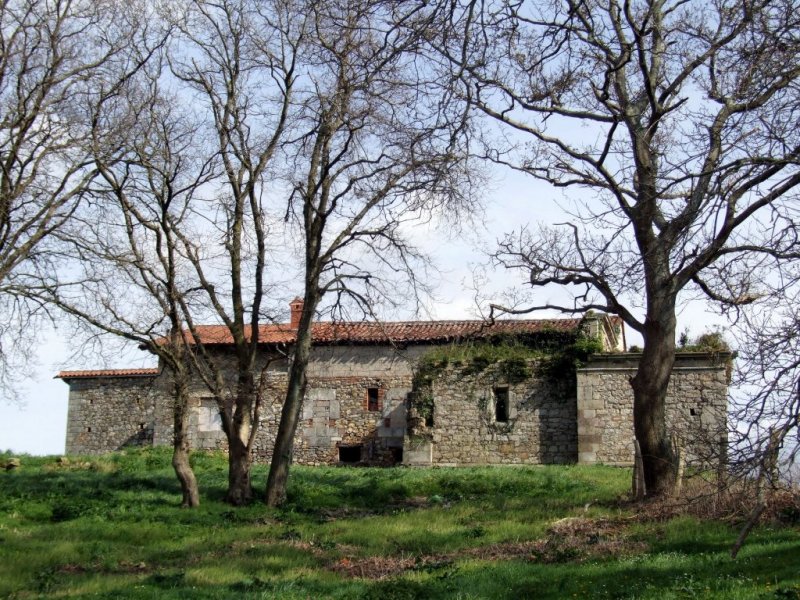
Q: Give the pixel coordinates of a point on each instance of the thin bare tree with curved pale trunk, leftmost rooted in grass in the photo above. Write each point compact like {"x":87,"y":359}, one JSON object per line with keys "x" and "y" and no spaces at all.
{"x":128,"y":277}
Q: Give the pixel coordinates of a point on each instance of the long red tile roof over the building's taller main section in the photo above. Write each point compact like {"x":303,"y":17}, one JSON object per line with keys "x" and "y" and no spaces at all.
{"x":402,"y":332}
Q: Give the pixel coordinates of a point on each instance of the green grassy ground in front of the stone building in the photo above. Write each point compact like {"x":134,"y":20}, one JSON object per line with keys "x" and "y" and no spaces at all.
{"x":111,"y":527}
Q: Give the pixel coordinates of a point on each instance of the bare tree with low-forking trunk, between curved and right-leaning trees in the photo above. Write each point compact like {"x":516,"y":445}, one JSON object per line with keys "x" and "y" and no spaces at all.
{"x":237,"y":58}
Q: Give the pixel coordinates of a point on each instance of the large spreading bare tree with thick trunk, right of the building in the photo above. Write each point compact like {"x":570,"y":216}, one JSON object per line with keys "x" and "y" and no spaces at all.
{"x":679,"y":120}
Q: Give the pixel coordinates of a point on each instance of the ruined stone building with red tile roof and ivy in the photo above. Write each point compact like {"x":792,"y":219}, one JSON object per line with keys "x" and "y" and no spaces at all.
{"x":424,"y":392}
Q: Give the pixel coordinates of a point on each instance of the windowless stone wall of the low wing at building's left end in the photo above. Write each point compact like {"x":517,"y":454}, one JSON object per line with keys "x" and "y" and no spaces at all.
{"x":109,"y":413}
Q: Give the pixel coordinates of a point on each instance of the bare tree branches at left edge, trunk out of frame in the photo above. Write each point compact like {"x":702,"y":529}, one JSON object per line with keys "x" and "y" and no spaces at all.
{"x":56,"y":57}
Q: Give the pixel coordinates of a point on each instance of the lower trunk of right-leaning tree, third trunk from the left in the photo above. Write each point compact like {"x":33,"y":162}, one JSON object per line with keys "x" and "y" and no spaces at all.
{"x":290,"y":415}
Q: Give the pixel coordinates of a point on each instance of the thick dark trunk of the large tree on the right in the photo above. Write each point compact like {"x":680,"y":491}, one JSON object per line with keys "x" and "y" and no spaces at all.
{"x":649,"y":404}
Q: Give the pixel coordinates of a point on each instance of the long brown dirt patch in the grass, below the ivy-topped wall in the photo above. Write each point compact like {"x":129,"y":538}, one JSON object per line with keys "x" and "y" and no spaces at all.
{"x":567,"y":540}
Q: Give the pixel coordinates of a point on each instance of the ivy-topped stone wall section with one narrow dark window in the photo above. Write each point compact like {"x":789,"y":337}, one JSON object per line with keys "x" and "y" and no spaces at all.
{"x":538,"y":427}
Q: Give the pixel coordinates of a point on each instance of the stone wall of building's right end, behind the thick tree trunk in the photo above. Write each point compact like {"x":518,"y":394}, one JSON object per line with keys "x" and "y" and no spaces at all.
{"x":696,"y":406}
